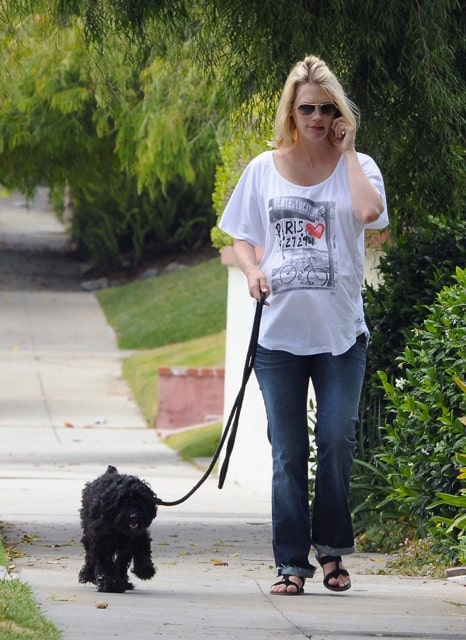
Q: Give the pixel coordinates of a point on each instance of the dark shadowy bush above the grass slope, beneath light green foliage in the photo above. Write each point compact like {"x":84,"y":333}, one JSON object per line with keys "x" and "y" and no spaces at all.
{"x":110,"y":222}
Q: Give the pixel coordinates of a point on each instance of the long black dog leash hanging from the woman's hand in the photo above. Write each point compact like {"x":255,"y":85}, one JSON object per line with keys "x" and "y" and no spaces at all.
{"x":233,"y":419}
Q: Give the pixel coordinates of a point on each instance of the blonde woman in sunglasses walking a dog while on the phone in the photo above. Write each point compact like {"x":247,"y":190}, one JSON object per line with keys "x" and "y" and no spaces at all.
{"x":307,"y":203}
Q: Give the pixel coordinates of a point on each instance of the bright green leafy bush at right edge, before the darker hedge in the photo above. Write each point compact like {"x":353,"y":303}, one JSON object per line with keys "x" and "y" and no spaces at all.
{"x":425,"y":405}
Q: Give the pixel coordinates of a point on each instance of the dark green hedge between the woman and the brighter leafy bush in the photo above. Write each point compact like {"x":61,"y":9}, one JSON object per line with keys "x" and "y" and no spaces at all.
{"x":413,"y":269}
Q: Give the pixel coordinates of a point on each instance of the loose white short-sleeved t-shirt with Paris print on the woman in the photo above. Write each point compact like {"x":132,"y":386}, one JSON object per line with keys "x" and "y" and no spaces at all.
{"x":313,"y":254}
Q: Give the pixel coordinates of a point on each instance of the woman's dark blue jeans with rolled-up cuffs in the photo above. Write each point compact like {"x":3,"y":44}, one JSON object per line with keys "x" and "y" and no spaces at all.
{"x":337,"y":380}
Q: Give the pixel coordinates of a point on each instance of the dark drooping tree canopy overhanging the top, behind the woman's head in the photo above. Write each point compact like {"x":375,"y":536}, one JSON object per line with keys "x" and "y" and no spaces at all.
{"x":402,"y":62}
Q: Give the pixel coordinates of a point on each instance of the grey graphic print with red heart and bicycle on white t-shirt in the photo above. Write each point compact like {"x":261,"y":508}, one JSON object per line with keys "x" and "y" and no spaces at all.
{"x":305,"y":237}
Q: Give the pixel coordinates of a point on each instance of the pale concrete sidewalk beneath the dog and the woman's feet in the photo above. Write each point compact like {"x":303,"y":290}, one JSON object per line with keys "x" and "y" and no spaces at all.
{"x":66,"y":413}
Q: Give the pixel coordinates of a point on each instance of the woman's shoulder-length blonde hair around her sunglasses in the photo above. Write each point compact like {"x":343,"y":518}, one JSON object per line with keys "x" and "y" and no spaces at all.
{"x":311,"y":70}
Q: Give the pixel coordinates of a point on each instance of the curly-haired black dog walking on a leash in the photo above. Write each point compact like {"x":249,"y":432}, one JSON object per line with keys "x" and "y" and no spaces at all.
{"x":117,"y":510}
